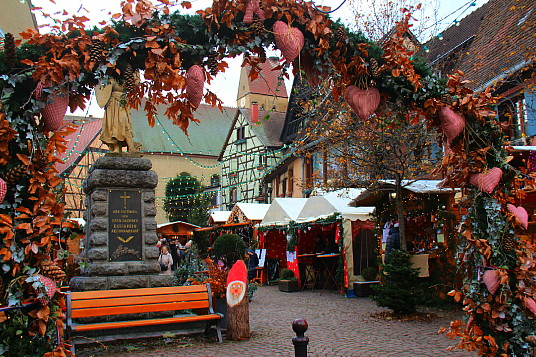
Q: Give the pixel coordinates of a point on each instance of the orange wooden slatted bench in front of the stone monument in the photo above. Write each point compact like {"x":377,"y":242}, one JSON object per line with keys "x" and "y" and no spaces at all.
{"x":134,"y":301}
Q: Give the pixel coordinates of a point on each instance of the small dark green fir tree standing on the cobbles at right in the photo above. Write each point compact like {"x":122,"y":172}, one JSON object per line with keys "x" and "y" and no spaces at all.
{"x":399,"y":289}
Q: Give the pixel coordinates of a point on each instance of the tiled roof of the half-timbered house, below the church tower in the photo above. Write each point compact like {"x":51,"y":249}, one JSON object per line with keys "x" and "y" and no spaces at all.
{"x":269,"y":127}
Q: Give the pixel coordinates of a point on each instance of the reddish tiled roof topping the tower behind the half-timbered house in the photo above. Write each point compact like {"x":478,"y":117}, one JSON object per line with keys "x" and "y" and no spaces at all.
{"x":268,"y":82}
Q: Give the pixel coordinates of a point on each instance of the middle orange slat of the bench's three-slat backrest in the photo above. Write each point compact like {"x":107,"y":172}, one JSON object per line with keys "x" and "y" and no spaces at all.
{"x":138,"y":300}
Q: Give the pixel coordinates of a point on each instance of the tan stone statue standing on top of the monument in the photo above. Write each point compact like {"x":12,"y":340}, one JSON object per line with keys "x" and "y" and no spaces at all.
{"x":117,"y":125}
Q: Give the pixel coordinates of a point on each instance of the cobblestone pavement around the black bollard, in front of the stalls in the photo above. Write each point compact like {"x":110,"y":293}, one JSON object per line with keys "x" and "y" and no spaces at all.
{"x":338,"y":326}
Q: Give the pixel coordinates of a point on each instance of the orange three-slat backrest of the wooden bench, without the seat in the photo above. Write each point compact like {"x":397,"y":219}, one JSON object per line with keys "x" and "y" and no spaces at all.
{"x":132,"y":301}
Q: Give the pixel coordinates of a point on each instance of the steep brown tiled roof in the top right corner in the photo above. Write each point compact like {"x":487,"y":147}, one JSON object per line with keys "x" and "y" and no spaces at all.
{"x":504,"y":38}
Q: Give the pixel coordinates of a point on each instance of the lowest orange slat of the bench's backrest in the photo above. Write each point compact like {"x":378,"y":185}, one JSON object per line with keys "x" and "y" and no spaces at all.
{"x":134,"y":309}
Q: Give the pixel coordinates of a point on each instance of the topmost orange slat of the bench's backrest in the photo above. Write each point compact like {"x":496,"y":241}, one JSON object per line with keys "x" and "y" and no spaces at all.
{"x":79,"y":295}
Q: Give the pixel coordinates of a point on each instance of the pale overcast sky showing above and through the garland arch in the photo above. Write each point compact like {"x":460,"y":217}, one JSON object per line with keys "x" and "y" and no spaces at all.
{"x":442,"y":14}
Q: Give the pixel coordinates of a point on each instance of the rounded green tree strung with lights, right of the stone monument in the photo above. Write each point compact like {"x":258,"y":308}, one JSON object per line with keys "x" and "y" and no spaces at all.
{"x":184,"y":201}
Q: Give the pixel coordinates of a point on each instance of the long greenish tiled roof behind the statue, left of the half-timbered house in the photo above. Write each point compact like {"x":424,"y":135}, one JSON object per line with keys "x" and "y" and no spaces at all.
{"x":205,"y":138}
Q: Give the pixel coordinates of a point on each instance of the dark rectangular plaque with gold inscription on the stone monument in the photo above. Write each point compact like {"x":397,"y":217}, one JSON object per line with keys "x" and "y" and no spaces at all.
{"x":124,"y":225}
